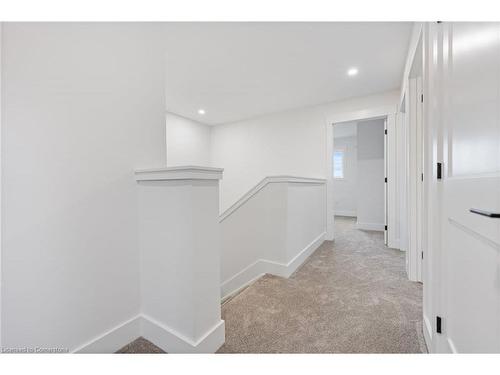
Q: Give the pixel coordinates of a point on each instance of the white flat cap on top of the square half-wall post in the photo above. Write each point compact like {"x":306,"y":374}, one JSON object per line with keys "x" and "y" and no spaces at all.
{"x":189,"y":172}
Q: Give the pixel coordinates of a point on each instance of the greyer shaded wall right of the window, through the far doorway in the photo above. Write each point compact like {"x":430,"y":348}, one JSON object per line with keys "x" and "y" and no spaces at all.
{"x":371,"y":174}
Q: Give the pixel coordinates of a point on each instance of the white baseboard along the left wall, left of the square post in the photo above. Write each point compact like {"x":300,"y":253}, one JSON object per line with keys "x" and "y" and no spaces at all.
{"x":114,"y":339}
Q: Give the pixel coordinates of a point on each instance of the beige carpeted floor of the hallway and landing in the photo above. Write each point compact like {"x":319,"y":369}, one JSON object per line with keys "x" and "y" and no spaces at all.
{"x":350,"y":296}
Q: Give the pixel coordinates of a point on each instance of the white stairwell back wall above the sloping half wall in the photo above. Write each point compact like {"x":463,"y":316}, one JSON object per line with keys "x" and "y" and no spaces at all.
{"x":289,"y":143}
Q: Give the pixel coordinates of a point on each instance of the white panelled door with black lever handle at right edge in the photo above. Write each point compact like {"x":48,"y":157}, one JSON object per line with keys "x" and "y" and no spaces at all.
{"x":470,"y":144}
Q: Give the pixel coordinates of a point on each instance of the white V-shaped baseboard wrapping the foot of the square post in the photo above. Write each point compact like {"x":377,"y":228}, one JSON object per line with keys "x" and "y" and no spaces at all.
{"x":172,"y":341}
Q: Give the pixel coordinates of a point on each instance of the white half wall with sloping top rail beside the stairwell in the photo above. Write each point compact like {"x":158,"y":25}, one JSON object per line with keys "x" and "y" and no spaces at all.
{"x":273,"y":229}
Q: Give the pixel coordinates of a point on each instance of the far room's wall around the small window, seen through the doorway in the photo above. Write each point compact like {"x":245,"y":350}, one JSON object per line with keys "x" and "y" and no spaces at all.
{"x":346,"y":196}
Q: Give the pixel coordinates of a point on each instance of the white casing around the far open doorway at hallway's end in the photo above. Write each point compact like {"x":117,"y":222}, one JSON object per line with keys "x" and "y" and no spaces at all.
{"x":390,"y":113}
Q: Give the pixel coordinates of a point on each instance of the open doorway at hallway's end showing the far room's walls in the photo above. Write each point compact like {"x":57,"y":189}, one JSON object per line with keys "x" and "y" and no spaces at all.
{"x":360,"y":173}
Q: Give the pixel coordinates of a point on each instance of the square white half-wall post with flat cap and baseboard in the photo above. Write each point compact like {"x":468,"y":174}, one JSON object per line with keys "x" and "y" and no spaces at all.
{"x":180,"y":257}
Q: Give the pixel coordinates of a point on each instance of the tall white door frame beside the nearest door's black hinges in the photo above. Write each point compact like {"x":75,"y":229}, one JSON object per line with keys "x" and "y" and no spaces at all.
{"x":432,"y":188}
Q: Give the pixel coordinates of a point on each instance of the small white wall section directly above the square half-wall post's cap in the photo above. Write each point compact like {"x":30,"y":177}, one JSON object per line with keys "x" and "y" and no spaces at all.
{"x":188,"y":141}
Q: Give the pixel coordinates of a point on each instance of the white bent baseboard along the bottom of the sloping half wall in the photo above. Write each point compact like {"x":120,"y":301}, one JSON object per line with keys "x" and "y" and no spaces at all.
{"x":262,"y":266}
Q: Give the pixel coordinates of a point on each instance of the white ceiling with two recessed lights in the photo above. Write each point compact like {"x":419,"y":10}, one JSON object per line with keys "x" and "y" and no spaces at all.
{"x":237,"y":71}
